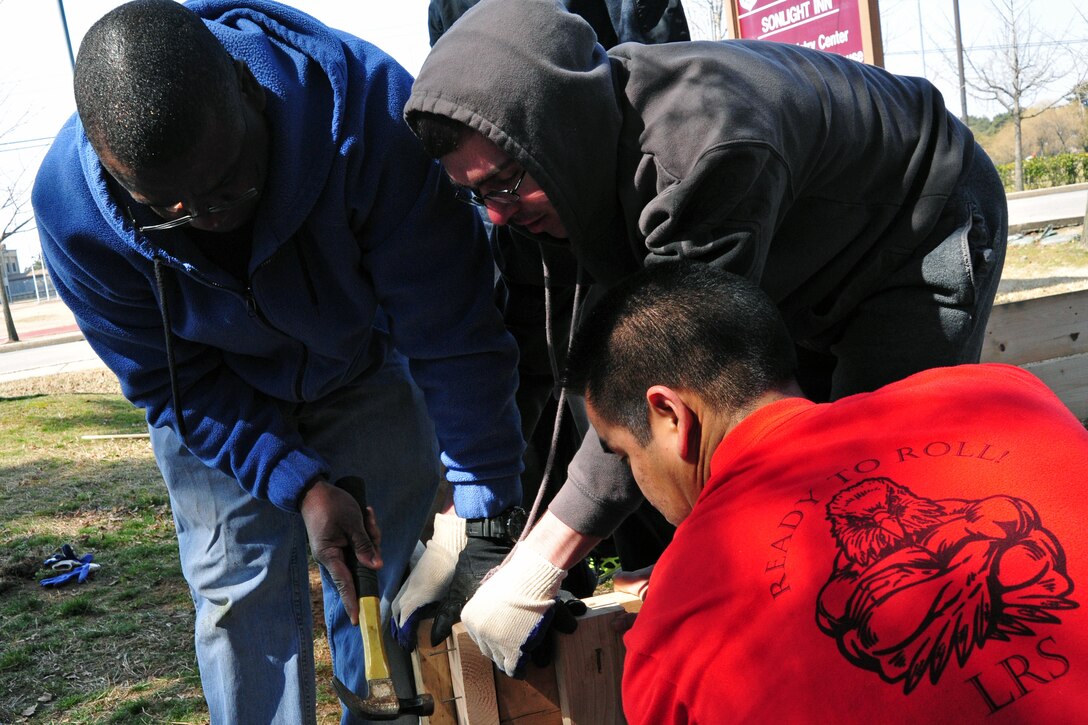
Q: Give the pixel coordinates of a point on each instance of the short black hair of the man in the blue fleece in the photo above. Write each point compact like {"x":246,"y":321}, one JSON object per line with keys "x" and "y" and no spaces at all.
{"x":150,"y":79}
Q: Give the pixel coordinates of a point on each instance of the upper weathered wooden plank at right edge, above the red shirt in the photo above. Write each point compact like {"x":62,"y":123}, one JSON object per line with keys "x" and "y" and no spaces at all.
{"x":1038,"y":329}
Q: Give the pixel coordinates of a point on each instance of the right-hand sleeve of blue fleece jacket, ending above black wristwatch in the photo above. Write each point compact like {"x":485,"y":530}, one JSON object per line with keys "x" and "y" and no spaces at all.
{"x":435,"y":280}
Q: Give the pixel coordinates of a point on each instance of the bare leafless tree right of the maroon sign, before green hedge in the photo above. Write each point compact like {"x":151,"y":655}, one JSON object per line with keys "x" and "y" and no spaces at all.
{"x":1018,"y":72}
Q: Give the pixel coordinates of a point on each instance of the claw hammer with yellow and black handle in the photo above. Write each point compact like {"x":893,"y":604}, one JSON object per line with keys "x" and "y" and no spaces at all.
{"x":381,"y":702}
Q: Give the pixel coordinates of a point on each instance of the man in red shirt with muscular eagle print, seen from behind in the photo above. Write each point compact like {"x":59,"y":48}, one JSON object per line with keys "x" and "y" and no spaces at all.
{"x":900,"y":556}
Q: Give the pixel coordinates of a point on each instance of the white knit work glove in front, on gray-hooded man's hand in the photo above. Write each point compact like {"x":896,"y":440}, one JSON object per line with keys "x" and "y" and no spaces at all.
{"x":518,"y":606}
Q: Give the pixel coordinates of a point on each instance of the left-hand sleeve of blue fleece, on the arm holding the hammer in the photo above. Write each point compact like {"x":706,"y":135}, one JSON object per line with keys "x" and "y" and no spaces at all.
{"x":230,"y":425}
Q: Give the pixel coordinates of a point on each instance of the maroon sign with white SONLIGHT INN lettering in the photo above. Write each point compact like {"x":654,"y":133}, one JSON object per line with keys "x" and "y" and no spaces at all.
{"x":831,"y":26}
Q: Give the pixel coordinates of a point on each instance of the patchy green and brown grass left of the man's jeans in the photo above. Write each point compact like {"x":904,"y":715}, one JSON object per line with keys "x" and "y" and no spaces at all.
{"x":119,"y":647}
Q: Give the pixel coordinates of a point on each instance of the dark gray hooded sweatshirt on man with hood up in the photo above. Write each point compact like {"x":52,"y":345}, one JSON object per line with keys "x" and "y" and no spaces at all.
{"x":815,"y":175}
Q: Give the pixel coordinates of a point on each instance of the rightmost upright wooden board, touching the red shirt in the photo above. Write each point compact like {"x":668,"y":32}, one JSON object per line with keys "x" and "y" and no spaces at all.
{"x":589,"y":665}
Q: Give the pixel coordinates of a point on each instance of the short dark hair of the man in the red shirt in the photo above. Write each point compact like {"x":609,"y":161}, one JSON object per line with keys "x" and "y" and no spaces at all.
{"x":682,"y":325}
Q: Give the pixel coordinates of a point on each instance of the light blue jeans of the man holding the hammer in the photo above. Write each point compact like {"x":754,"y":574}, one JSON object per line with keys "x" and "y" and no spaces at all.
{"x":248,"y":562}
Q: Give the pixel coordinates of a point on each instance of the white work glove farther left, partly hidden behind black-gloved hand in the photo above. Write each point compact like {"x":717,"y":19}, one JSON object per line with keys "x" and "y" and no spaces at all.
{"x":430,"y":579}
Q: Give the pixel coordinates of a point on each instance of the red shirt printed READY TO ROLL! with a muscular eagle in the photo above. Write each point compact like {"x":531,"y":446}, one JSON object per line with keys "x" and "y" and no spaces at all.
{"x":914,"y":555}
